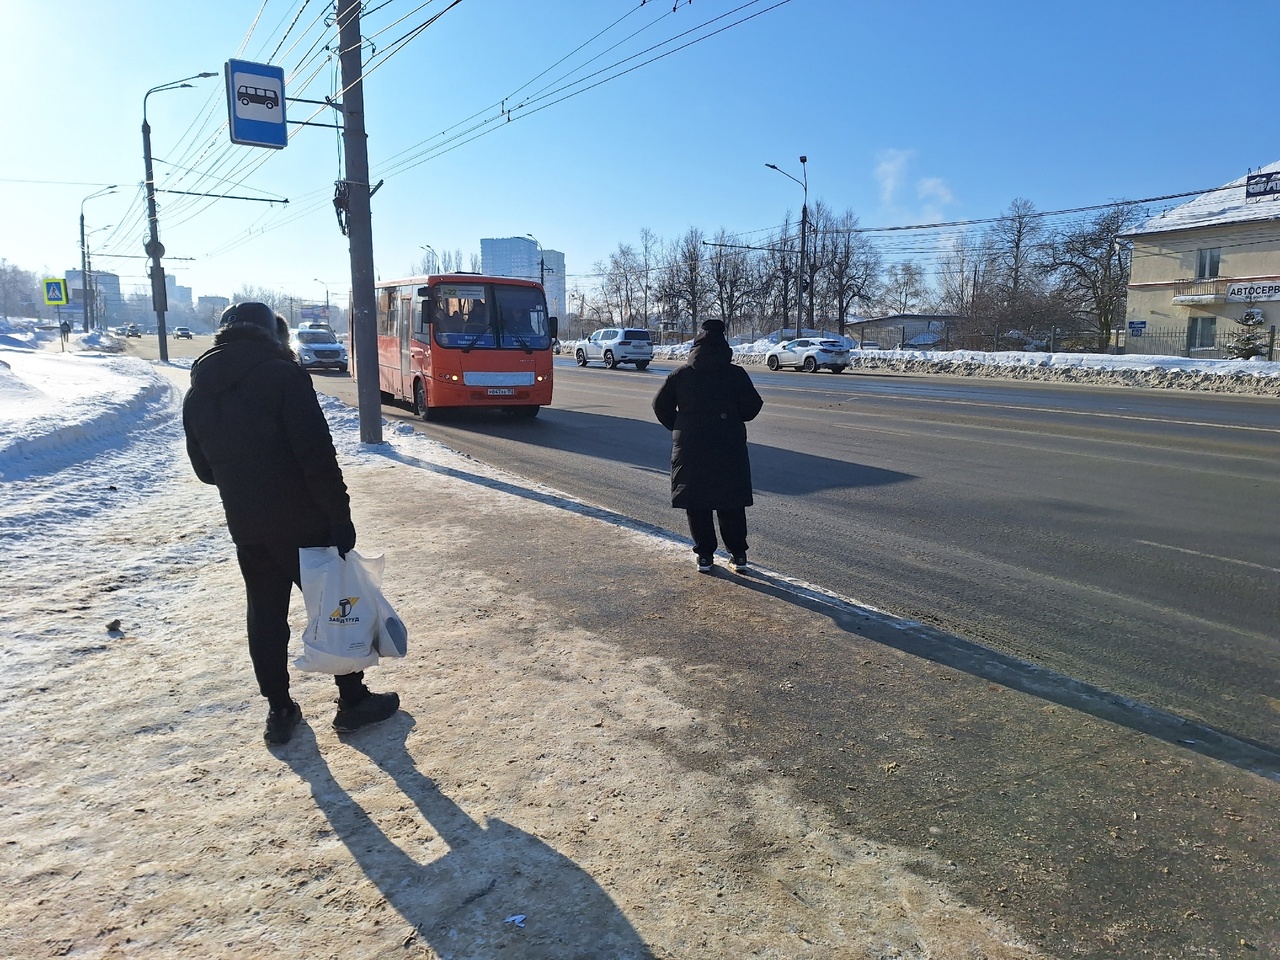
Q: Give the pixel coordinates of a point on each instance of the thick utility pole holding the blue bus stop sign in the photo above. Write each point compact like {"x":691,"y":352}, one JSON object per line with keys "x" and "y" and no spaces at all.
{"x":360,"y":230}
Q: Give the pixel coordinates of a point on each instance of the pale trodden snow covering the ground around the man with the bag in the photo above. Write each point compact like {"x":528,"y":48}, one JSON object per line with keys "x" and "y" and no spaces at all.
{"x":143,"y":815}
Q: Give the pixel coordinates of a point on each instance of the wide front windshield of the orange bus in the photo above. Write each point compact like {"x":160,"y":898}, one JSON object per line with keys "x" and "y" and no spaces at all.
{"x":491,"y":317}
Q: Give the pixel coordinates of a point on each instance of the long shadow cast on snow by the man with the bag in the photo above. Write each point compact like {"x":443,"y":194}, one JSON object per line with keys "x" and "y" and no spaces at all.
{"x":461,"y":903}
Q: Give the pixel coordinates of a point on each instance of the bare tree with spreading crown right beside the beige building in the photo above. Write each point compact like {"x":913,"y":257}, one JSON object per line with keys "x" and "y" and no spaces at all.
{"x":1092,"y":271}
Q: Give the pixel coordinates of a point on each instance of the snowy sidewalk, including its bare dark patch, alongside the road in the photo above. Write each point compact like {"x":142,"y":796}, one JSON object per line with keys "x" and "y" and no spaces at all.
{"x":554,"y":762}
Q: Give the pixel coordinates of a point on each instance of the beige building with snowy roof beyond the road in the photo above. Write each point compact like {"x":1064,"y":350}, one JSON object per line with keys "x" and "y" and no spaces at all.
{"x":1199,"y":267}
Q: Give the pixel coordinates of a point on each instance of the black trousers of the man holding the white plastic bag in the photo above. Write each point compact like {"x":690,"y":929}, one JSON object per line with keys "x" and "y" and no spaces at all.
{"x":271,"y":573}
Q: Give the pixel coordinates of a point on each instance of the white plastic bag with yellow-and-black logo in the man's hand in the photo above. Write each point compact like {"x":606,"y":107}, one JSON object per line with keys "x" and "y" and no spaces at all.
{"x":342,"y":601}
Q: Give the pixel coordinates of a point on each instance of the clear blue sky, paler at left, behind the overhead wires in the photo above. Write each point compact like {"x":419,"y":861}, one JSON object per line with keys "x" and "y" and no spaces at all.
{"x":908,"y":113}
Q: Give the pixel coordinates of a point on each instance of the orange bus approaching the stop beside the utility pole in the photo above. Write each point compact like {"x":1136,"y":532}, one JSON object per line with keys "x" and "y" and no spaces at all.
{"x":454,"y":341}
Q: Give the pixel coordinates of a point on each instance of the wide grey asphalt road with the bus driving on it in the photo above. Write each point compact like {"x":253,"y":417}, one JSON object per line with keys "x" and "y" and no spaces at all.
{"x":1127,"y":538}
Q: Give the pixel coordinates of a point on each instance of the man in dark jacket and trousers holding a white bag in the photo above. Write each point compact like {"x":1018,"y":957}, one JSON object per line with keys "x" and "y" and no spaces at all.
{"x":255,"y":431}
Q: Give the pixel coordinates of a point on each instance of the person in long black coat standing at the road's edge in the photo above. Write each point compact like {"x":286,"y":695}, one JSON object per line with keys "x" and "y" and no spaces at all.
{"x":706,"y":404}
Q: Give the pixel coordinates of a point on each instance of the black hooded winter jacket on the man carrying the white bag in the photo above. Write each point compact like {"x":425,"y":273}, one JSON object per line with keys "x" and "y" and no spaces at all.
{"x":257,"y":431}
